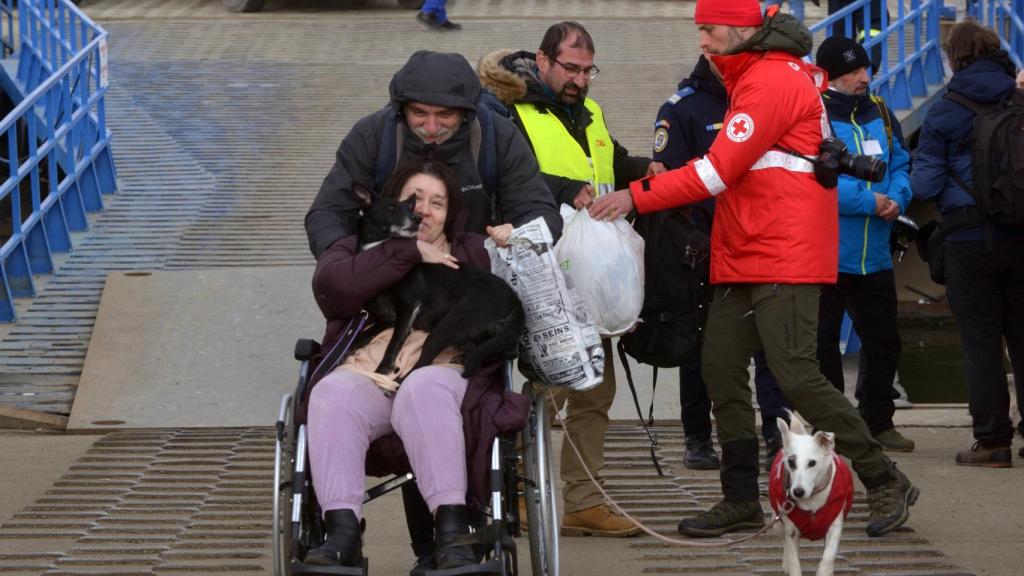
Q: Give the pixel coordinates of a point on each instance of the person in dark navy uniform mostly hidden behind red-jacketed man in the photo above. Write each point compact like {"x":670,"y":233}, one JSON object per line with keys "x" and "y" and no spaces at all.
{"x":688,"y":125}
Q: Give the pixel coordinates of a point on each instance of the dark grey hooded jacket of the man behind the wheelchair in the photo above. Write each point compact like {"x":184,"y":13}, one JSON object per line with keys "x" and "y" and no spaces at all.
{"x":437,"y":79}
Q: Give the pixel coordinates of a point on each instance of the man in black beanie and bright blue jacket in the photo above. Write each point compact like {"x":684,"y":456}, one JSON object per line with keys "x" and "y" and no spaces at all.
{"x":867,"y":285}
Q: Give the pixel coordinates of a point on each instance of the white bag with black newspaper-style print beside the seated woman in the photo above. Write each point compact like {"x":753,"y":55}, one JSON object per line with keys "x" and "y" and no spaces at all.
{"x":561,"y":343}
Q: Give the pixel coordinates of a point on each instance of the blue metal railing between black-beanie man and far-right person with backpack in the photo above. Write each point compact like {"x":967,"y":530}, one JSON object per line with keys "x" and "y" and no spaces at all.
{"x":915,"y":31}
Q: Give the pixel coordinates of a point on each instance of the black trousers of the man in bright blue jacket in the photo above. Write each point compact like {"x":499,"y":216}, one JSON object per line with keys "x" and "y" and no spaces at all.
{"x":871,"y":302}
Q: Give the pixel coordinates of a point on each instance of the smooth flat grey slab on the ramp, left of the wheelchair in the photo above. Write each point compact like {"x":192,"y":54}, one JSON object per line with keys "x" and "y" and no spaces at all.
{"x":209,"y":348}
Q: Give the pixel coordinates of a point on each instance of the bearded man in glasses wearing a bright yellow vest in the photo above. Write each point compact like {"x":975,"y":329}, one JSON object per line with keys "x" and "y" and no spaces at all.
{"x":580,"y":160}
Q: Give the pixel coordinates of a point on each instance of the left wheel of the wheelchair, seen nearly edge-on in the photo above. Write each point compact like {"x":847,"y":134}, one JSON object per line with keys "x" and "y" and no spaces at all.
{"x":284,"y":461}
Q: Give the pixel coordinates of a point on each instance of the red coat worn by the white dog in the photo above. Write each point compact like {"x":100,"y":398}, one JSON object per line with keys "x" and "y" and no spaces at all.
{"x":814,"y":526}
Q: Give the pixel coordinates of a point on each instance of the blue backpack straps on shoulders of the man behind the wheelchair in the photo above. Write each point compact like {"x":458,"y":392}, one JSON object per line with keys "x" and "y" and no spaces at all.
{"x":482,"y":142}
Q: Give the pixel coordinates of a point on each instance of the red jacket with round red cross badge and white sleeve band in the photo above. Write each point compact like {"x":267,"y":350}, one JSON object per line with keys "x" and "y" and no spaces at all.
{"x":774,"y":222}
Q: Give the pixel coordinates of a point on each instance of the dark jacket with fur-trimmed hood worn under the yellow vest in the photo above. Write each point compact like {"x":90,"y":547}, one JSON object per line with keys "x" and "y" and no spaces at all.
{"x":514,"y":78}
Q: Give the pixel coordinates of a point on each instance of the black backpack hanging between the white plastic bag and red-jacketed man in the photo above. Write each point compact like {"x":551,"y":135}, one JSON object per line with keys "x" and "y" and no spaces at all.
{"x":676,"y":289}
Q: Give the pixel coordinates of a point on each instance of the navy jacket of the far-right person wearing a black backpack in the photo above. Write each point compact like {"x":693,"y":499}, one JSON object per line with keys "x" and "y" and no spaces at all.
{"x":944,"y":147}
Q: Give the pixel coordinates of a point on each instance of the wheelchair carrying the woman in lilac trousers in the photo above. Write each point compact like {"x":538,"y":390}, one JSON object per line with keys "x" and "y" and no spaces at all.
{"x":298,"y":525}
